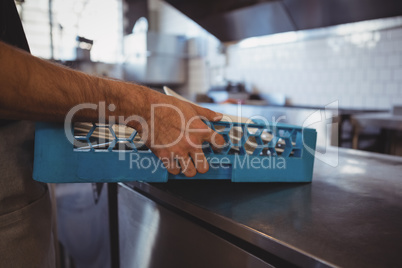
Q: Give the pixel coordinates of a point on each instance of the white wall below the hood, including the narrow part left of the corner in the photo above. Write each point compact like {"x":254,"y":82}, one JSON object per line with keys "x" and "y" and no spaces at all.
{"x":361,"y":69}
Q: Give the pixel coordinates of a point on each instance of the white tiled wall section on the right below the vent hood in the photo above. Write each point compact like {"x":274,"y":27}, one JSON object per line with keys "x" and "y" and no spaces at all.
{"x":360,"y":71}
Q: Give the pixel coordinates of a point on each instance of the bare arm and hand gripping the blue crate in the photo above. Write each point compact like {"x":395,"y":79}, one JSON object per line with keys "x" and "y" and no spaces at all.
{"x":35,"y":89}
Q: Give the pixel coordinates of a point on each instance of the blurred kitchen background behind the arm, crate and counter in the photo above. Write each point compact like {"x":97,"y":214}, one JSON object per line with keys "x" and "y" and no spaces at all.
{"x":337,"y":56}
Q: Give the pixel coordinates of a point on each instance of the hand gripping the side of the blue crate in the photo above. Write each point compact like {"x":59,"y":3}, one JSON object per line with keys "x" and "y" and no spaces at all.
{"x":175,"y":132}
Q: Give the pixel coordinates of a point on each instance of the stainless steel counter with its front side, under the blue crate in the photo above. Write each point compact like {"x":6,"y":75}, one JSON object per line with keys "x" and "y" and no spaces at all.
{"x":349,"y":216}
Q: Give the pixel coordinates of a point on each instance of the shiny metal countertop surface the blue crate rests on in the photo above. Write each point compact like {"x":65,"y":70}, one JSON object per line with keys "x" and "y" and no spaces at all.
{"x":349,"y":216}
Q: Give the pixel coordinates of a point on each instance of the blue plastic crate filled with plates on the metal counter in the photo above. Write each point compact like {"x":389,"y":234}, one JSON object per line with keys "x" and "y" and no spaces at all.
{"x":287,"y":157}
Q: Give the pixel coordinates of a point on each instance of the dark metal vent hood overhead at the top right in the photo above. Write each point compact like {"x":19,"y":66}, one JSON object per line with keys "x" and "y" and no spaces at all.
{"x":234,"y":20}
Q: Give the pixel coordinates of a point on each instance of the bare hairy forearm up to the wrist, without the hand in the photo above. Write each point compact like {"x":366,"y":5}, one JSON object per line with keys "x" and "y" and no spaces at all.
{"x":35,"y":89}
